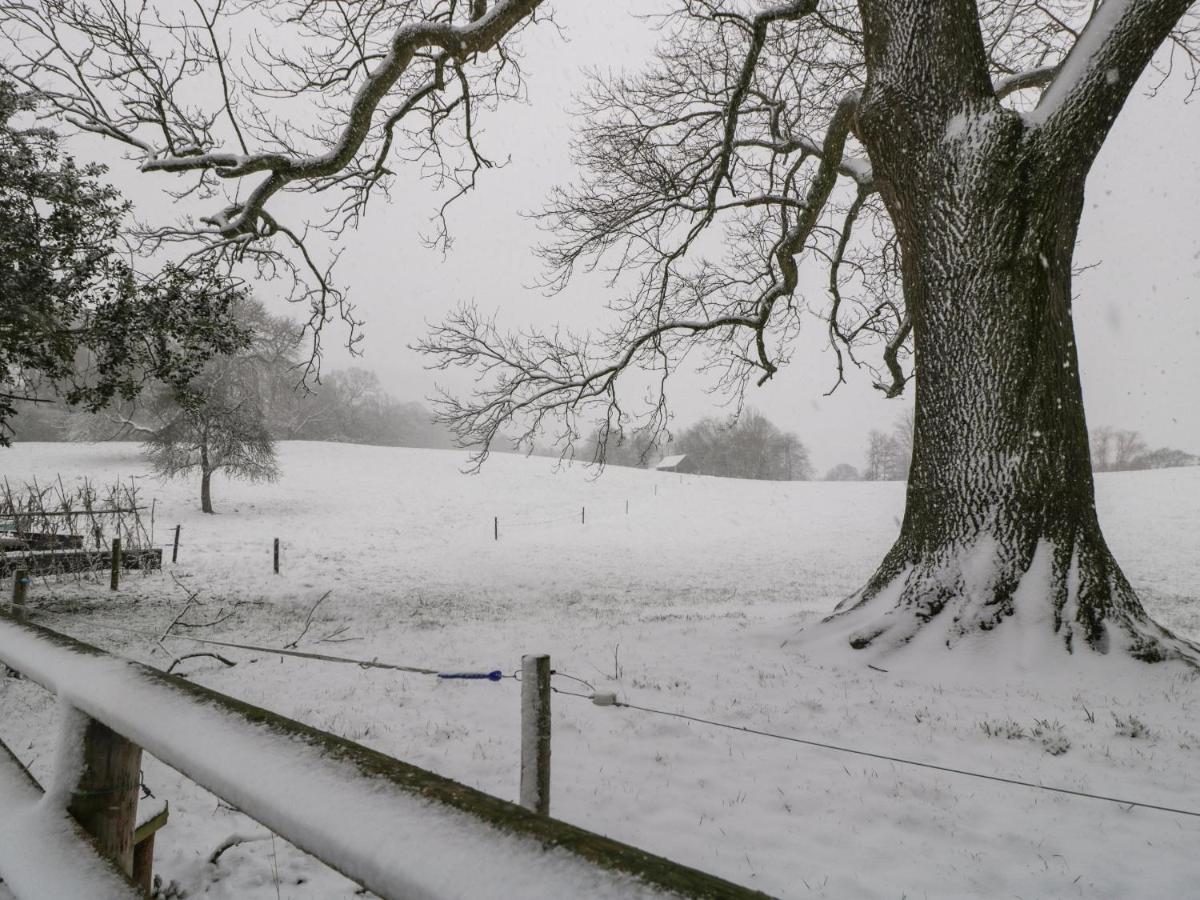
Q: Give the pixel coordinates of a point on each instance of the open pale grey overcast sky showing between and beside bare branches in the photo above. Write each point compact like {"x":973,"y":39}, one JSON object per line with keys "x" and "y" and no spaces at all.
{"x":1138,"y":317}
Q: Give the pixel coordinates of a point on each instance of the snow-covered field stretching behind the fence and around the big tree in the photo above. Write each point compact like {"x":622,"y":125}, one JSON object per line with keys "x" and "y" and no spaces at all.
{"x":687,"y":603}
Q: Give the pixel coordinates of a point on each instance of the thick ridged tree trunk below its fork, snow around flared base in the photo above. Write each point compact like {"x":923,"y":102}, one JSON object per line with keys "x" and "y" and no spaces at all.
{"x":1000,"y":524}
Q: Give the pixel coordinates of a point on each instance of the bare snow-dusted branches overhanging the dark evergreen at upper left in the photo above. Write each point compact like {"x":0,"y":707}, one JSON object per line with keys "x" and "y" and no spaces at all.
{"x":247,"y":101}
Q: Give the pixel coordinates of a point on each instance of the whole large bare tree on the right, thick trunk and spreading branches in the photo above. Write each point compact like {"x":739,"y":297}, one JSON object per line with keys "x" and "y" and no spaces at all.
{"x":933,"y":158}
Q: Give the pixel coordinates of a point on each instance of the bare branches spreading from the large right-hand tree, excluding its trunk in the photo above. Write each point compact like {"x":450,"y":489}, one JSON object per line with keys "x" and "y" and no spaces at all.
{"x":715,"y":181}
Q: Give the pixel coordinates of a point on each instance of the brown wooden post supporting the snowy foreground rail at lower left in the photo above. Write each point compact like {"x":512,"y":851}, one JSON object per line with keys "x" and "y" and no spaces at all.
{"x":105,"y":802}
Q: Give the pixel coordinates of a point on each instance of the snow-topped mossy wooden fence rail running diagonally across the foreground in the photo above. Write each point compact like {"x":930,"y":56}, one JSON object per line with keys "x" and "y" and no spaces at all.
{"x":400,"y":831}
